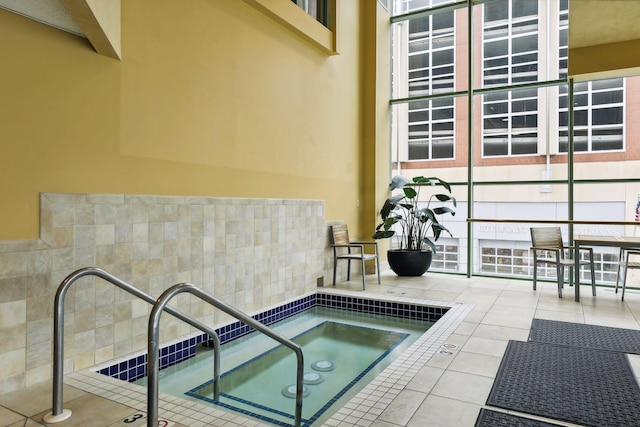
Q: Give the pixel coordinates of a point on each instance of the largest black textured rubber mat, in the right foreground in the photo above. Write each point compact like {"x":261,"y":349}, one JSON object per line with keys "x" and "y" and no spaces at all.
{"x":588,"y":387}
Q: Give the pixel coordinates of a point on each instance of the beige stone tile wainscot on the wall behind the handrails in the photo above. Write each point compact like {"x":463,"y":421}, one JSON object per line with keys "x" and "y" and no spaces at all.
{"x":250,"y":253}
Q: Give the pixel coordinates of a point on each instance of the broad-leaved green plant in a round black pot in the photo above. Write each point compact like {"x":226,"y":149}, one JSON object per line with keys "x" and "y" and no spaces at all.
{"x":418,"y":225}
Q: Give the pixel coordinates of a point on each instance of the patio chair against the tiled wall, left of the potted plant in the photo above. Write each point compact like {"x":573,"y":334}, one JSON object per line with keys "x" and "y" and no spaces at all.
{"x":342,"y":249}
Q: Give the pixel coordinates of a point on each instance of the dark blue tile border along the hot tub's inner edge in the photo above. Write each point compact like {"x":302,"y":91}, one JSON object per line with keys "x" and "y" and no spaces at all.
{"x":136,"y":367}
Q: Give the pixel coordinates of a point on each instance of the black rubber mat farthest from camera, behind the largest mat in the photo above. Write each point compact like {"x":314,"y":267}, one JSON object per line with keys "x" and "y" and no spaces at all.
{"x":585,"y":336}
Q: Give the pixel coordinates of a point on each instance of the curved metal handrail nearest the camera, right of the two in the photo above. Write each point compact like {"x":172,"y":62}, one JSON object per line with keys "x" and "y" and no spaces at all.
{"x":154,"y":345}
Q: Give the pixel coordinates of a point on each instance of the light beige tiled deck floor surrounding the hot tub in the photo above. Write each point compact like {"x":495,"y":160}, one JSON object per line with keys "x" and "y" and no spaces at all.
{"x":442,"y":380}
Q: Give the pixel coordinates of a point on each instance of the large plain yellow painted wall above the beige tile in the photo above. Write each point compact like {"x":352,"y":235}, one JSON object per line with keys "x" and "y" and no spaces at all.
{"x":212,"y":98}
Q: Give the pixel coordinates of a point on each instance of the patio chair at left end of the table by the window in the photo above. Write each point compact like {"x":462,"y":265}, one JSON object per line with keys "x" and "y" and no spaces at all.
{"x":548,"y":248}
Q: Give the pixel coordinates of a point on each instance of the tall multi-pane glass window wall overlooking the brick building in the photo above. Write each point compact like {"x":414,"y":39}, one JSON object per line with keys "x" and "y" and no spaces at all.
{"x":481,"y":94}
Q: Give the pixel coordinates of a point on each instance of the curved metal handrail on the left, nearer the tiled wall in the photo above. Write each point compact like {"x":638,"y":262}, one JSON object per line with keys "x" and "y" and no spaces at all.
{"x":58,"y":413}
